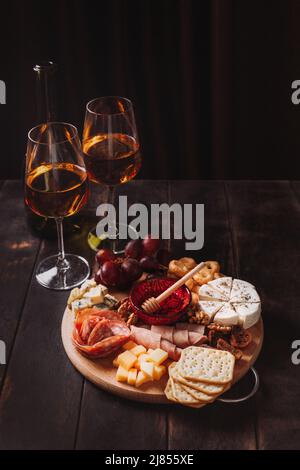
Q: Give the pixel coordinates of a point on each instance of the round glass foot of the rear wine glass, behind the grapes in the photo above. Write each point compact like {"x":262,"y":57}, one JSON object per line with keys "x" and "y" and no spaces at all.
{"x":116,"y":245}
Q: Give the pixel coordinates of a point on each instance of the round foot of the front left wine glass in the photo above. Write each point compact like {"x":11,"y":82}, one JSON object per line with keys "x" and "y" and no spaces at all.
{"x":48,"y":275}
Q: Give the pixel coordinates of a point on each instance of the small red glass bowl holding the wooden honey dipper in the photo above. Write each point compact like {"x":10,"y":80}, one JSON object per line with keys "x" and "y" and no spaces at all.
{"x":171,"y":309}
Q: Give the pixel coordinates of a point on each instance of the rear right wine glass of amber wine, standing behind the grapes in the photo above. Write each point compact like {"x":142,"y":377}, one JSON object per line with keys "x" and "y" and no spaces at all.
{"x":111,"y":151}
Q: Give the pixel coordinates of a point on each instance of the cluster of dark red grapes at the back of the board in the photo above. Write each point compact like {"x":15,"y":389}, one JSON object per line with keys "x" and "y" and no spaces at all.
{"x":140,"y":255}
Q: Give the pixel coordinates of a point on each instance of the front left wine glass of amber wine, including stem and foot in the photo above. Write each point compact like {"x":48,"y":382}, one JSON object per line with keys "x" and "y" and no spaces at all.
{"x":56,"y":186}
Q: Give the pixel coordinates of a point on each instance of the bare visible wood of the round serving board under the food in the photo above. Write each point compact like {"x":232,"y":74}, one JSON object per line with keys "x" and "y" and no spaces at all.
{"x":102,"y":373}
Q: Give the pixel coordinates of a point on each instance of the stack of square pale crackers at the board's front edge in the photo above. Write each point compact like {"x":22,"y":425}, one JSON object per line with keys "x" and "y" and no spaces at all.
{"x":200,"y":376}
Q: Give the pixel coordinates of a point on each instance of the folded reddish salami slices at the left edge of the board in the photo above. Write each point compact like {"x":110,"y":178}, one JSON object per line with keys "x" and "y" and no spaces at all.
{"x":96,"y":336}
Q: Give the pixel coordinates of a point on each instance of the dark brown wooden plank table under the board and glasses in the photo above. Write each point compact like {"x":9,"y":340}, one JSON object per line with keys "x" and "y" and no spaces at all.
{"x":253,"y":229}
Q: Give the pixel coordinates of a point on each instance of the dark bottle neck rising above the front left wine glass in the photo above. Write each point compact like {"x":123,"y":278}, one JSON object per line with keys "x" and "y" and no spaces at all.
{"x":46,"y":91}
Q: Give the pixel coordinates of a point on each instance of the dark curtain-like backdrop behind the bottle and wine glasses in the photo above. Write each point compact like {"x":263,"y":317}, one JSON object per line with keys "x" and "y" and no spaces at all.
{"x":210,"y":80}
